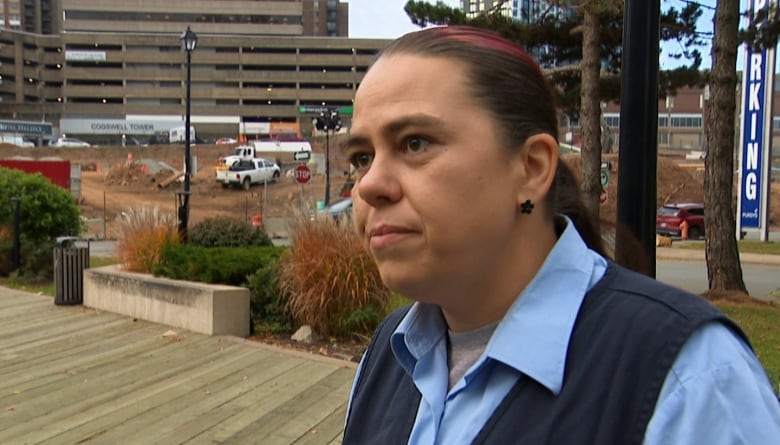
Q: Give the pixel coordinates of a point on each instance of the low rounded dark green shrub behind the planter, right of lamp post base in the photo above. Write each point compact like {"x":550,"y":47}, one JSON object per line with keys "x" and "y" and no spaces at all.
{"x":226,"y":232}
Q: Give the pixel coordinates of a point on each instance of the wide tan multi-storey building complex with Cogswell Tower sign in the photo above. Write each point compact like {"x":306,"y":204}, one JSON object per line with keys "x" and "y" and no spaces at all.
{"x":92,"y":65}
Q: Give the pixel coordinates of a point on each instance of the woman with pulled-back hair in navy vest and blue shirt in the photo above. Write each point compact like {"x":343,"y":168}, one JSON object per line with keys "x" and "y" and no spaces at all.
{"x":522,"y":331}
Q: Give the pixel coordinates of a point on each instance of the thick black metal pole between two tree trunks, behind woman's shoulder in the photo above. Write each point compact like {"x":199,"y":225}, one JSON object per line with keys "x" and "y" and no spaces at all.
{"x":638,"y":133}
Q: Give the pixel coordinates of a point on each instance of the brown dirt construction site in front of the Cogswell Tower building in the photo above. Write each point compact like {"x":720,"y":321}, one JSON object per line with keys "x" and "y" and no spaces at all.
{"x":113,"y":179}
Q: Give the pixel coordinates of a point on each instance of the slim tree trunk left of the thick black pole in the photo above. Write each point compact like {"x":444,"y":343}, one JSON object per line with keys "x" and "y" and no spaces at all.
{"x":590,"y":111}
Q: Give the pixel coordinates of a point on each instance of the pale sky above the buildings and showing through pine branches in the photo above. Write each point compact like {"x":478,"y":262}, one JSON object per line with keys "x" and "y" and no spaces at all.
{"x":386,"y":19}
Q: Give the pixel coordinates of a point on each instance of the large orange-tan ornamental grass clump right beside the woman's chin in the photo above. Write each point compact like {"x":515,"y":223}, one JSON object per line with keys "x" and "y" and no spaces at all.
{"x":330,"y":280}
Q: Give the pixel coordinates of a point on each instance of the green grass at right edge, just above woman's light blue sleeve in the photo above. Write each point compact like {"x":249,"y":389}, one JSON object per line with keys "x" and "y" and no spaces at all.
{"x":761,"y":323}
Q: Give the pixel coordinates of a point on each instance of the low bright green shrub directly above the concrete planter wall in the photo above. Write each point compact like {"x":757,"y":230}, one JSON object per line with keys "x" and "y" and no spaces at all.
{"x":216,"y":265}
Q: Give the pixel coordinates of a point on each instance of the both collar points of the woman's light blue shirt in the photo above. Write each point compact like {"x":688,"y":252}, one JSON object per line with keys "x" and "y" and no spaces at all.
{"x":533,"y":336}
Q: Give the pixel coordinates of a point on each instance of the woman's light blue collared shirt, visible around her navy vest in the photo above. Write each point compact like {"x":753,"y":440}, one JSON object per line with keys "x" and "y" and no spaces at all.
{"x":716,"y":392}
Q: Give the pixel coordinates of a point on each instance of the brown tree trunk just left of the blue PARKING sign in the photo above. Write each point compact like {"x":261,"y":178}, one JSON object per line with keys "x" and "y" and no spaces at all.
{"x":724,"y":270}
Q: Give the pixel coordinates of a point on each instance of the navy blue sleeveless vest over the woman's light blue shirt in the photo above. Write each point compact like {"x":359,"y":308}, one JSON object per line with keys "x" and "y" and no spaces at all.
{"x":627,"y":335}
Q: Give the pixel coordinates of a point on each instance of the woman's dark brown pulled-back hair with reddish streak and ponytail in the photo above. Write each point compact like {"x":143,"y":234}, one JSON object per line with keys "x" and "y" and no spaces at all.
{"x":511,"y":86}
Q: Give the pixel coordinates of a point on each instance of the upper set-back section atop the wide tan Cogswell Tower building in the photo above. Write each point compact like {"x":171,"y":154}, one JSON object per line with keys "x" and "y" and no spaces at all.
{"x":230,"y":17}
